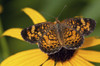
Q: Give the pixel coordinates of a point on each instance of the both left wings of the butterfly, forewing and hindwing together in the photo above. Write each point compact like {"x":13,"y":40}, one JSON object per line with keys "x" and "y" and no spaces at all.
{"x":45,"y":35}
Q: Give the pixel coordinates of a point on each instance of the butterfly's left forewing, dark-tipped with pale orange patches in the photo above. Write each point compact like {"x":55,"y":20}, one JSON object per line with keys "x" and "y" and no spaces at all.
{"x":33,"y":33}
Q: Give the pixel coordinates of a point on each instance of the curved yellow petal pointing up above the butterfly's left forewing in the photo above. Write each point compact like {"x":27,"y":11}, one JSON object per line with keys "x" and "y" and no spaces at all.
{"x":34,"y":15}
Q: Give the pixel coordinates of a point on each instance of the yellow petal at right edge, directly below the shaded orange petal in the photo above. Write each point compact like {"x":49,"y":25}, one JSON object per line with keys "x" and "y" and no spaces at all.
{"x":89,"y":55}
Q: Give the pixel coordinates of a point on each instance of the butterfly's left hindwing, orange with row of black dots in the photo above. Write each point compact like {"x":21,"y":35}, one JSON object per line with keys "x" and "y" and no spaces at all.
{"x":49,"y":42}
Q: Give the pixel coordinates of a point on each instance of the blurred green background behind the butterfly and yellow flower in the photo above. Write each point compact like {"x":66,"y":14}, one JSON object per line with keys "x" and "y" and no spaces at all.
{"x":13,"y":17}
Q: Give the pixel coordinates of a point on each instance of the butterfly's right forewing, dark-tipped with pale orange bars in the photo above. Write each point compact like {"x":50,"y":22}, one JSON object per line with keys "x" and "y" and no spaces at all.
{"x":82,"y":25}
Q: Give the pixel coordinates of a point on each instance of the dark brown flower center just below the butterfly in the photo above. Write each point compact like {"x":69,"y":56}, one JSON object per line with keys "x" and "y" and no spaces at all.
{"x":62,"y":55}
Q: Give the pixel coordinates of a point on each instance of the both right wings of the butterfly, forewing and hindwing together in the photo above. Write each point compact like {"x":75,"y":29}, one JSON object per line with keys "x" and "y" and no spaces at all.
{"x":75,"y":30}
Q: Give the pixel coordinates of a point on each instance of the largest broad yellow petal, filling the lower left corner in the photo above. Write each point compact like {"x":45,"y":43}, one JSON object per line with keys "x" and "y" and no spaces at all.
{"x":34,"y":57}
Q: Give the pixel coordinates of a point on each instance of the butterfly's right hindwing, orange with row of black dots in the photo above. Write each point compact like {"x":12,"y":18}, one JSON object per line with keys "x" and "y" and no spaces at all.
{"x":72,"y":39}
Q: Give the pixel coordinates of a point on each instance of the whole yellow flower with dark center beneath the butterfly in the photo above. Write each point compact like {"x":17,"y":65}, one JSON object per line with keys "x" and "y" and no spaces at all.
{"x":35,"y":57}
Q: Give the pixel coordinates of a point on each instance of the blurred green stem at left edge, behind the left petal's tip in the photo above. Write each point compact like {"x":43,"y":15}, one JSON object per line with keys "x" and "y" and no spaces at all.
{"x":3,"y":43}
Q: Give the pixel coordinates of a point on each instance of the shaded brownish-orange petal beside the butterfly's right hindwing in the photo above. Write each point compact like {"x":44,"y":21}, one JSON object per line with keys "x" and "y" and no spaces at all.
{"x":91,"y":41}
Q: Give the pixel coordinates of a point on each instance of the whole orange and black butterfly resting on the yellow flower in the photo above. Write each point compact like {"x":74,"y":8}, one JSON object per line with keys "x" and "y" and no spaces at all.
{"x":52,"y":36}
